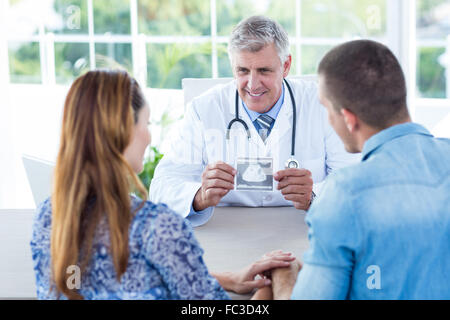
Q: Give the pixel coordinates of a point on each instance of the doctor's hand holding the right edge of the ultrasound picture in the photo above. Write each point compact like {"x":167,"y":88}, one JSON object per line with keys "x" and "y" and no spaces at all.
{"x":296,"y":186}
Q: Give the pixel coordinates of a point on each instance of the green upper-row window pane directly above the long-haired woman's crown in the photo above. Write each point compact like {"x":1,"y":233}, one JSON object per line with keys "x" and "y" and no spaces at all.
{"x":112,"y":16}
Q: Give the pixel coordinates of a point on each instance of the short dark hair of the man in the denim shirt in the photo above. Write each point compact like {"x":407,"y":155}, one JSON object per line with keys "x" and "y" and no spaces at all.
{"x":366,"y":78}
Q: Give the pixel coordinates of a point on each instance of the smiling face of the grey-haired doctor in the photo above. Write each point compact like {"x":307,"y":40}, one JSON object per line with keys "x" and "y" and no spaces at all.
{"x":259,"y":77}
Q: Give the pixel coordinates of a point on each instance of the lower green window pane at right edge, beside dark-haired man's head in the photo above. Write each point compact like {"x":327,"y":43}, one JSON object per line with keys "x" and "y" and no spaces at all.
{"x":430,"y":73}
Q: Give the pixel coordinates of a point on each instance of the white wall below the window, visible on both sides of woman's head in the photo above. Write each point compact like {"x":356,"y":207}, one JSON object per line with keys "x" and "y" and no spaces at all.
{"x":30,"y":124}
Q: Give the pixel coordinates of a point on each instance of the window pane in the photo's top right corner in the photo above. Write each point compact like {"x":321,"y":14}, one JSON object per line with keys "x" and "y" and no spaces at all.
{"x":433,"y":19}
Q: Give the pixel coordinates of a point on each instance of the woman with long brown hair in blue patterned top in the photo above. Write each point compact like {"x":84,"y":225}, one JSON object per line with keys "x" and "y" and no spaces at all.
{"x":95,"y":238}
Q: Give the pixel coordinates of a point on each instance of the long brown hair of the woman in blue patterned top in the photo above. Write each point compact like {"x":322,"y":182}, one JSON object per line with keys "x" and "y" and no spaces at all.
{"x":92,"y":179}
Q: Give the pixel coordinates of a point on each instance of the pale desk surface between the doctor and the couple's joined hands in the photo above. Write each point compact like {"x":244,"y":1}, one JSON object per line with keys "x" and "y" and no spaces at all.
{"x":236,"y":237}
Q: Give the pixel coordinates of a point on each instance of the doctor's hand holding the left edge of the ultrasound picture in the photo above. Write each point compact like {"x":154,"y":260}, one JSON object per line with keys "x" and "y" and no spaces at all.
{"x":217,"y":181}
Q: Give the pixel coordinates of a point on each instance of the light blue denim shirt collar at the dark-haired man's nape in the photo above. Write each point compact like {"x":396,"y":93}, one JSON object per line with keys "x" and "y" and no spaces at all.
{"x":391,"y":133}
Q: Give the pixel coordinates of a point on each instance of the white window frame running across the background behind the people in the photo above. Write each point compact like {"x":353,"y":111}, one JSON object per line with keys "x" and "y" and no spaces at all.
{"x":400,"y":36}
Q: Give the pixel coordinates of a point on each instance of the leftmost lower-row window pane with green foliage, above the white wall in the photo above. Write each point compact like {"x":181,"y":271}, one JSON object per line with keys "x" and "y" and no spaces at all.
{"x":24,"y":62}
